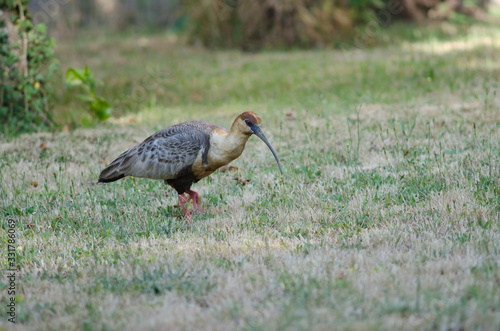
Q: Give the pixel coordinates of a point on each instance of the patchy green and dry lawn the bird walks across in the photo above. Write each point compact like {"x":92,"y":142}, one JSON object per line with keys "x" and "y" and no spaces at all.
{"x":387,"y":217}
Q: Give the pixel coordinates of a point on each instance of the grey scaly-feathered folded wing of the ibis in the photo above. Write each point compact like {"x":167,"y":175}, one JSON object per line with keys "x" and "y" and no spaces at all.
{"x":164,"y":154}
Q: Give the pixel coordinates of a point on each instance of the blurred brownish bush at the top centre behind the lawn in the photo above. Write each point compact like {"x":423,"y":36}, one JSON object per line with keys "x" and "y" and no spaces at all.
{"x":274,"y":23}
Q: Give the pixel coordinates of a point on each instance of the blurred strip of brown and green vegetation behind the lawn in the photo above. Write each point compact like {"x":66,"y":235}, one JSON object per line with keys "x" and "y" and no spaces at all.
{"x":249,"y":24}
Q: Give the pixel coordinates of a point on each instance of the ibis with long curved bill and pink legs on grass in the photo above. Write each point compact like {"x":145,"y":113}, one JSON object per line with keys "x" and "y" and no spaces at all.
{"x":185,"y":153}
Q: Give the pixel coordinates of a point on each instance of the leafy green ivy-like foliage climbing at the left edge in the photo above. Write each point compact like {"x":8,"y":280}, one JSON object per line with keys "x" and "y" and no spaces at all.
{"x":27,"y":64}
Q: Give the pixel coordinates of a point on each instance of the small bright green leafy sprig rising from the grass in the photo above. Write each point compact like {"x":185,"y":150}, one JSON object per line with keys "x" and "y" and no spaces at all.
{"x":99,"y":107}
